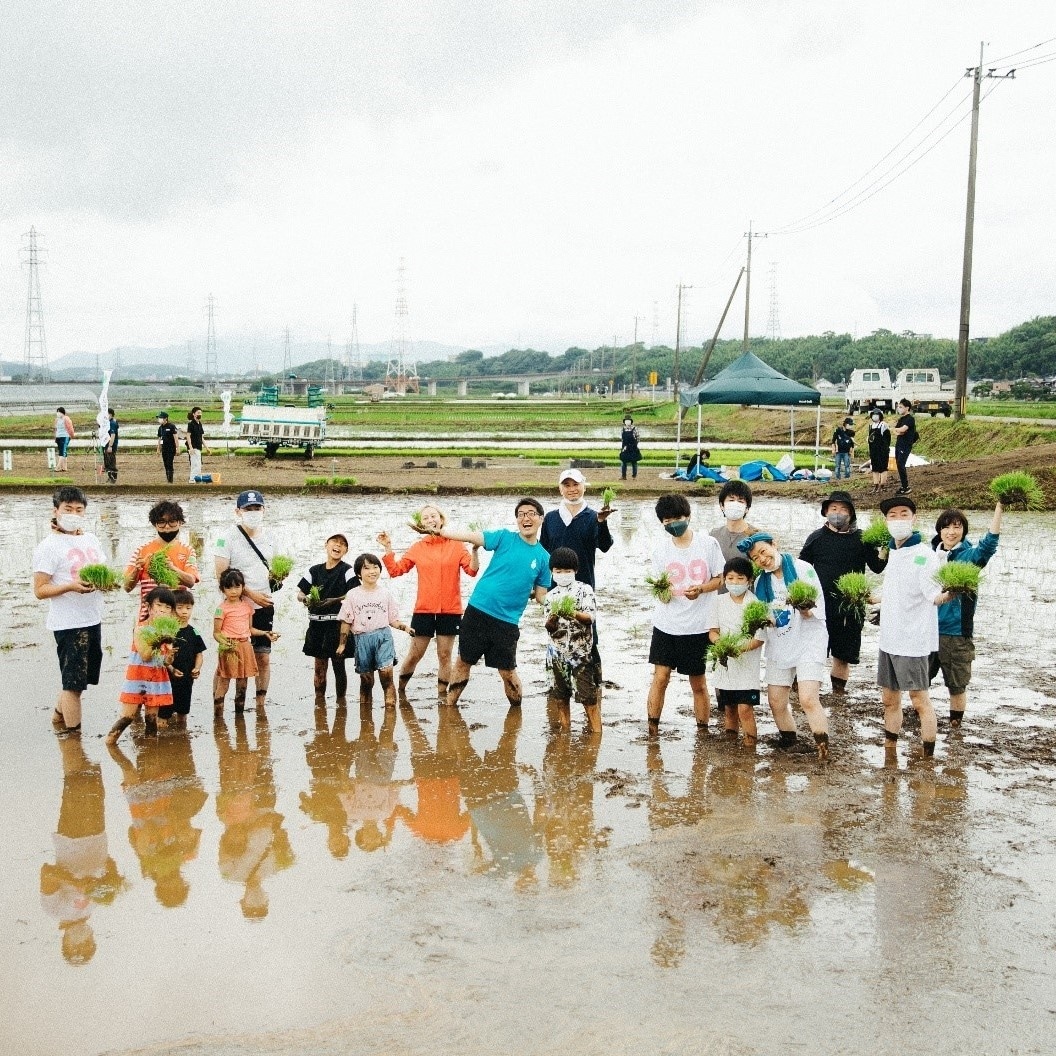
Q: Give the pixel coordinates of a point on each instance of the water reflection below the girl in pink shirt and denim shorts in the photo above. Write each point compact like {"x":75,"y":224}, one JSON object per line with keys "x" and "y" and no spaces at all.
{"x":372,"y":797}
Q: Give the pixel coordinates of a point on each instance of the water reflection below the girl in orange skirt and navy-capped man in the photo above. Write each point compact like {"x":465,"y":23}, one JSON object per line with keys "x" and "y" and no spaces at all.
{"x":254,"y":845}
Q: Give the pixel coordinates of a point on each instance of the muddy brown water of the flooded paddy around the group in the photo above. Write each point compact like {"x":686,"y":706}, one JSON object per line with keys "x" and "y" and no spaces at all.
{"x":331,"y":883}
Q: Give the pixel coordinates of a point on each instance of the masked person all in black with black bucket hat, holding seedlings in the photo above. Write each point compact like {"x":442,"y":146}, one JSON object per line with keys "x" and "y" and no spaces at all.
{"x":835,"y":550}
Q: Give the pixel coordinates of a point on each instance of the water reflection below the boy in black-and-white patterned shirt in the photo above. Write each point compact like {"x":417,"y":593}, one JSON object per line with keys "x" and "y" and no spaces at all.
{"x":564,"y":804}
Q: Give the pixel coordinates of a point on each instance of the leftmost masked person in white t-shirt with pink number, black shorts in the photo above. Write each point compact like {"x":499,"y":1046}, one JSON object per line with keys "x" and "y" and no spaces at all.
{"x":74,"y":609}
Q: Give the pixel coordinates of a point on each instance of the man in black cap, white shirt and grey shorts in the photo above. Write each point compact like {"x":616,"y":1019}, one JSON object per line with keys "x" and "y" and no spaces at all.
{"x":909,"y":625}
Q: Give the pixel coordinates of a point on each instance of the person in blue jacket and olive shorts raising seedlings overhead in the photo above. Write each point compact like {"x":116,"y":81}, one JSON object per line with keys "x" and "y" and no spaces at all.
{"x":957,"y":616}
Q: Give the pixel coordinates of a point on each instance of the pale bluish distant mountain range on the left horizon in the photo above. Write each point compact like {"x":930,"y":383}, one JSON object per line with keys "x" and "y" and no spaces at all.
{"x":177,"y":361}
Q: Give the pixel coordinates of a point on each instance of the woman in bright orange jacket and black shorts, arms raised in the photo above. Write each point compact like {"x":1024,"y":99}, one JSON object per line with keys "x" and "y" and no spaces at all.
{"x":438,"y":607}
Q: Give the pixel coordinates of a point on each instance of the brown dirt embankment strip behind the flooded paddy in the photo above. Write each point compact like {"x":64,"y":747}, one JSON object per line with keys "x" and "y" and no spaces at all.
{"x":964,"y":484}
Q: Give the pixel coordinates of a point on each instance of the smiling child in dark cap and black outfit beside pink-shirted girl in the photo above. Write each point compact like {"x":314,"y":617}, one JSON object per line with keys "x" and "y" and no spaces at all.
{"x":323,"y":590}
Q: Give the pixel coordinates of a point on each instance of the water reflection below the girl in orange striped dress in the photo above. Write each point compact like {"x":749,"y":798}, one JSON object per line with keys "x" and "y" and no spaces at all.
{"x":164,"y":794}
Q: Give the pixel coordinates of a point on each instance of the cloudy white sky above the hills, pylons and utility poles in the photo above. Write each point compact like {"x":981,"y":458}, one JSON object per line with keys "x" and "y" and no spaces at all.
{"x":548,"y":171}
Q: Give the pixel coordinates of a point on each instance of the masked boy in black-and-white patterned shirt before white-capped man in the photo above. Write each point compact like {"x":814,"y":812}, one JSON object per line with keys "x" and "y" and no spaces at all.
{"x":571,"y":609}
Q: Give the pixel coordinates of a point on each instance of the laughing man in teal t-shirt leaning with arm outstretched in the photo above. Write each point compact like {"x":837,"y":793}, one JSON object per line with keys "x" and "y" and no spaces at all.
{"x":520,"y":570}
